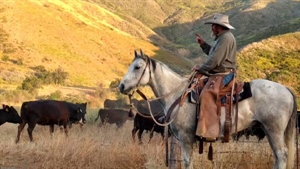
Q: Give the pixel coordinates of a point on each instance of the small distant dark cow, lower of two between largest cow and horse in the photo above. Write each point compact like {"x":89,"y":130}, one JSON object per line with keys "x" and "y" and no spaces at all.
{"x":117,"y":116}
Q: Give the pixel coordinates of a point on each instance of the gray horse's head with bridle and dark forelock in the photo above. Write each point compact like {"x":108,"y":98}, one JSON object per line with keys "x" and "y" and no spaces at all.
{"x":138,"y":74}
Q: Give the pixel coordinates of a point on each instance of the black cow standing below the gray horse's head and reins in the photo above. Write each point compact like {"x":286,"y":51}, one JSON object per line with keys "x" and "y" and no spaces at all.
{"x":143,"y":123}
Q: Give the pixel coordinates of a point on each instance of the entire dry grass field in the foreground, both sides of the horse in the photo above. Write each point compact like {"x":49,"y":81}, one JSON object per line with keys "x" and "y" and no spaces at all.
{"x":107,"y":147}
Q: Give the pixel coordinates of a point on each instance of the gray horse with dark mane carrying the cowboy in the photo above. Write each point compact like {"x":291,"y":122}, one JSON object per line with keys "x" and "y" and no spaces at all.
{"x":272,"y":104}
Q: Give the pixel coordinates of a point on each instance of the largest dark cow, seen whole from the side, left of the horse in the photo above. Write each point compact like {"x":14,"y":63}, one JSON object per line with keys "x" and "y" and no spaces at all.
{"x":50,"y":112}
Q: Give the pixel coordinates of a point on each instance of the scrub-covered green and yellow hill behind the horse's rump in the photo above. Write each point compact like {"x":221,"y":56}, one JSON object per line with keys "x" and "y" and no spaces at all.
{"x":276,"y":58}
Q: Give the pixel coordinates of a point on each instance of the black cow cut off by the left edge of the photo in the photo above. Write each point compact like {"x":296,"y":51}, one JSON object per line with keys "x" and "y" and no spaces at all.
{"x":9,"y":114}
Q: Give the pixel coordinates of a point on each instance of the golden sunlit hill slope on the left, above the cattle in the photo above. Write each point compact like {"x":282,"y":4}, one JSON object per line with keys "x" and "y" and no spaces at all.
{"x":84,"y":39}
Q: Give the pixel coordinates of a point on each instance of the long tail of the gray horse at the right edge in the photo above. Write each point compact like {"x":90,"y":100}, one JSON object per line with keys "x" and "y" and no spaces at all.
{"x":290,"y":133}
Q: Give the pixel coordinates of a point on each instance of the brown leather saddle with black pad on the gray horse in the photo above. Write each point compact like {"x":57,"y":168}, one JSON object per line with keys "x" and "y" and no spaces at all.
{"x":226,"y":97}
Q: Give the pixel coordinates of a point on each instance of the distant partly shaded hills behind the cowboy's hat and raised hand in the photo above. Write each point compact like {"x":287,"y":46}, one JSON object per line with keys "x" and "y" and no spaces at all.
{"x":178,"y":20}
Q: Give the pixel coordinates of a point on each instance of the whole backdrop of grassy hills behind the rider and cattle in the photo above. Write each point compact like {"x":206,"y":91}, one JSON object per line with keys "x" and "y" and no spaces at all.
{"x":94,"y":40}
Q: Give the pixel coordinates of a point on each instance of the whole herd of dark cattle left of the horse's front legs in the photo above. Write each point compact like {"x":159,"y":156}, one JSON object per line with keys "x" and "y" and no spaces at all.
{"x":63,"y":113}
